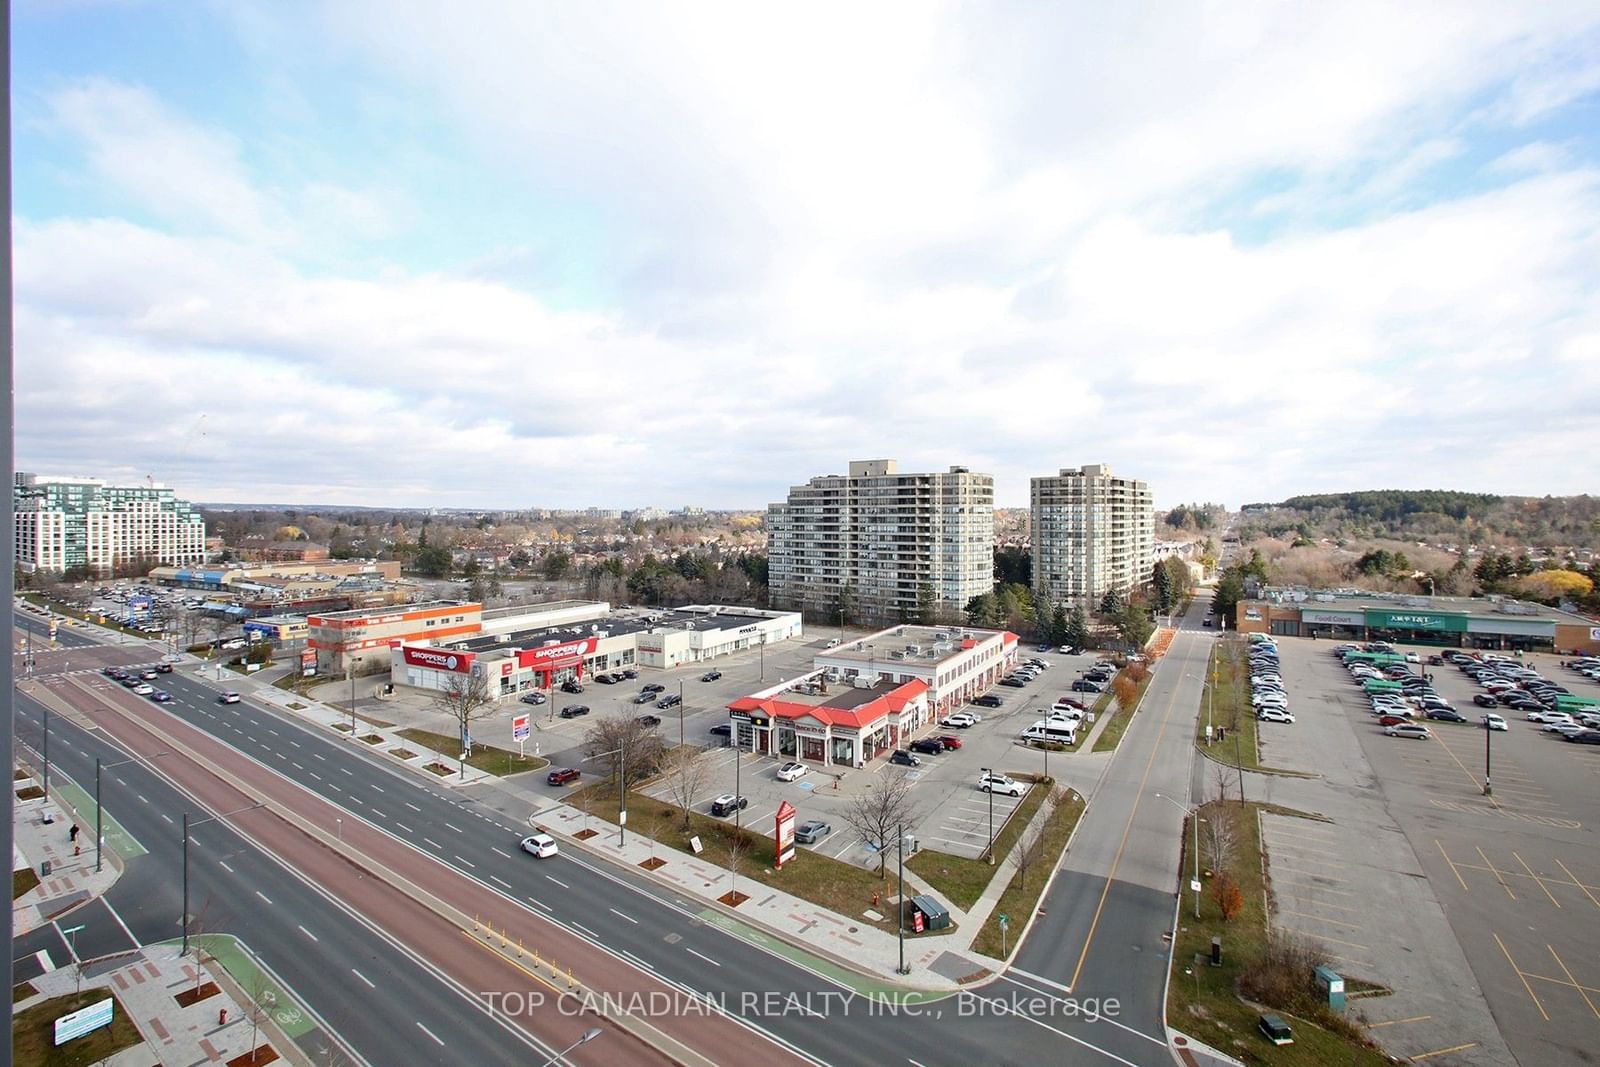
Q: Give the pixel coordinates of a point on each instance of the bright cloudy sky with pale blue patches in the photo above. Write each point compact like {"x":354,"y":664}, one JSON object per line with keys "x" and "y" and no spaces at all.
{"x":505,"y":255}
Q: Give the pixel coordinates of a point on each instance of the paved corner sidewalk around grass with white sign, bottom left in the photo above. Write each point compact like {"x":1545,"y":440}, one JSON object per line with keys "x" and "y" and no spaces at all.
{"x":146,"y":985}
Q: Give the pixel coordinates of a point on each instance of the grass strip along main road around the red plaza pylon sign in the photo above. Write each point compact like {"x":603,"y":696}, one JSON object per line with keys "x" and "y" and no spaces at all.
{"x":746,"y":857}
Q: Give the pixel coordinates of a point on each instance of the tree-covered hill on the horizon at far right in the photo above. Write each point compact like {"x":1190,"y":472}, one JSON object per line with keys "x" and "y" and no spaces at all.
{"x":1436,"y":516}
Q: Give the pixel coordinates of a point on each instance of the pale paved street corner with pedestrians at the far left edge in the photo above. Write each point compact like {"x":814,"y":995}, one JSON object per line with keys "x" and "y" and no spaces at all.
{"x":41,"y":828}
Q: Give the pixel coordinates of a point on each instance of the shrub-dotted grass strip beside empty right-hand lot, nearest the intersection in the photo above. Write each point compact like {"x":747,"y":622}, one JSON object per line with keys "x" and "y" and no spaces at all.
{"x":1210,"y":1002}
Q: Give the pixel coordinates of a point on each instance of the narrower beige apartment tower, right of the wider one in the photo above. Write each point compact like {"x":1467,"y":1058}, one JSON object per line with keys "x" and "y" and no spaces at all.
{"x":1094,"y":533}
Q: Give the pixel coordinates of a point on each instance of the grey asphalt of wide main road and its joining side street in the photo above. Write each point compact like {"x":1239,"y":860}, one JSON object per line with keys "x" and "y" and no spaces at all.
{"x":1102,"y":933}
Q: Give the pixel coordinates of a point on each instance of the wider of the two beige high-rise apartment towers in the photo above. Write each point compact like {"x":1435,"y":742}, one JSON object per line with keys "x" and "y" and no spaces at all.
{"x":908,"y":546}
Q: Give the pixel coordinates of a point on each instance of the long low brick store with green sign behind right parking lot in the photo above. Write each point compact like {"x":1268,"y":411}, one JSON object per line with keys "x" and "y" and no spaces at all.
{"x":1489,"y":623}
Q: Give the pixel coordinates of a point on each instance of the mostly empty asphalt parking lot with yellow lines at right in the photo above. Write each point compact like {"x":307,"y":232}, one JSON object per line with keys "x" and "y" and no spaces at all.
{"x":1430,"y":887}
